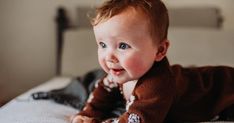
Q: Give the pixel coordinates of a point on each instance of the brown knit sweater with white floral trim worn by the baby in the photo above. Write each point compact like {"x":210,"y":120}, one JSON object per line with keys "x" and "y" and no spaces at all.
{"x":168,"y":93}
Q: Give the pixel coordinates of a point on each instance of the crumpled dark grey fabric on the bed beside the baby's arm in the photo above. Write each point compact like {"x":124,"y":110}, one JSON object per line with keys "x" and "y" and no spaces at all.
{"x":76,"y":93}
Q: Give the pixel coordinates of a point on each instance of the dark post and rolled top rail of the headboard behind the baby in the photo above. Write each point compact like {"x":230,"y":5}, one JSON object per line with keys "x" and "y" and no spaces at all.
{"x":63,"y":23}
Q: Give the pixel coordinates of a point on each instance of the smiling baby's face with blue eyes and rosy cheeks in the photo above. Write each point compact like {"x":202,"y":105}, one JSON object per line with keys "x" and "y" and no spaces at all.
{"x":125,"y":47}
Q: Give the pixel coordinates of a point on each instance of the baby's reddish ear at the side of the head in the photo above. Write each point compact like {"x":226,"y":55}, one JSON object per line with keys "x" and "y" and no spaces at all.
{"x":162,"y":50}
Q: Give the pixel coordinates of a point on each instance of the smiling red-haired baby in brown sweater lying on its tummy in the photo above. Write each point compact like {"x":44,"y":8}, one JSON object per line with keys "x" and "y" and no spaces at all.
{"x":132,"y":45}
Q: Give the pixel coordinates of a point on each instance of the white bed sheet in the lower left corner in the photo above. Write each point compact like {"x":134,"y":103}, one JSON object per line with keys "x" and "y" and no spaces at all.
{"x":24,"y":109}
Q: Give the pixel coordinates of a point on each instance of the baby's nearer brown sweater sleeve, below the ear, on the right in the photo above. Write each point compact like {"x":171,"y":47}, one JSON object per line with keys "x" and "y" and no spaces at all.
{"x":150,"y":103}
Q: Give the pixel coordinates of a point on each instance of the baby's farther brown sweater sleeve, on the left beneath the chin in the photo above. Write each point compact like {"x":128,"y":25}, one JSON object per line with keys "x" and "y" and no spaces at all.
{"x":101,"y":101}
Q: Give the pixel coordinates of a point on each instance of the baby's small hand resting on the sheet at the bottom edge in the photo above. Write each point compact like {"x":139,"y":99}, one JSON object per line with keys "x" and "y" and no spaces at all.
{"x":82,"y":119}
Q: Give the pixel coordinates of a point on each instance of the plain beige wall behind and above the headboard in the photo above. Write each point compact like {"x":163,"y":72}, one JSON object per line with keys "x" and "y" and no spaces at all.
{"x":27,"y":38}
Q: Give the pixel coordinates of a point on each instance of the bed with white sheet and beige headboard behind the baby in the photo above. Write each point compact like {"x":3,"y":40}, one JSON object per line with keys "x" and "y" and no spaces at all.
{"x":76,"y":55}
